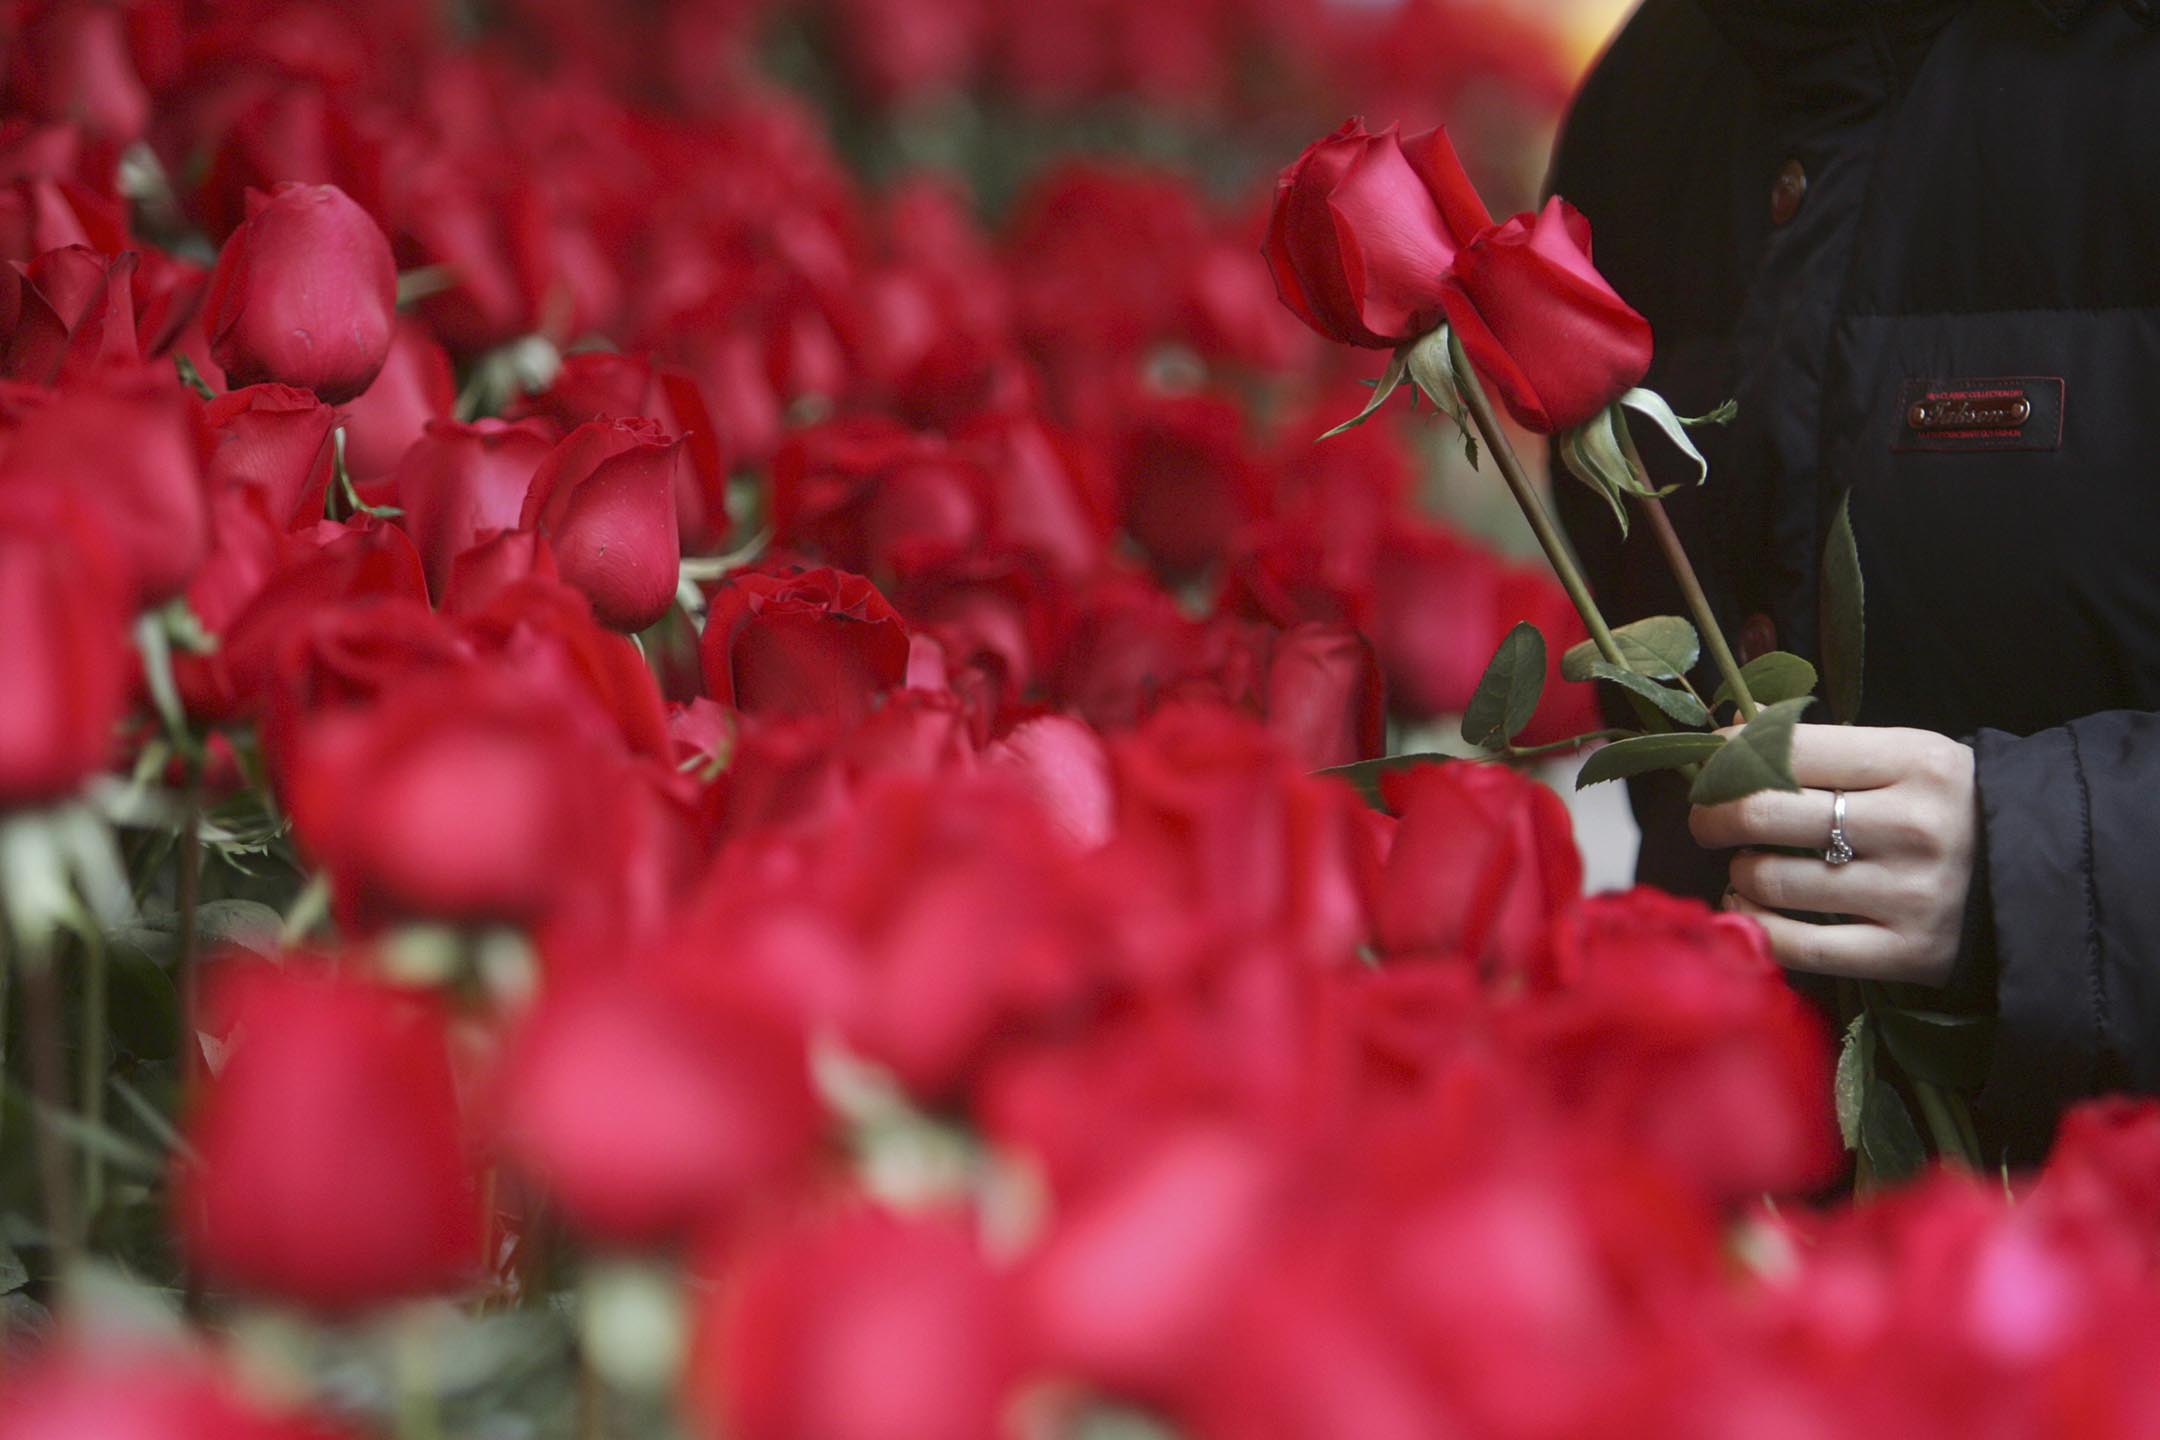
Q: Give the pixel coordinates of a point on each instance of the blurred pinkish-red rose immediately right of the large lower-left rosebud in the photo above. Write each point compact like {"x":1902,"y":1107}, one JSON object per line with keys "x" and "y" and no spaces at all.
{"x":651,"y":1113}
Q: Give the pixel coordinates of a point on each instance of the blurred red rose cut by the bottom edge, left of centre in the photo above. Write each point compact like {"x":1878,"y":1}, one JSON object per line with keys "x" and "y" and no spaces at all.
{"x":861,"y":1329}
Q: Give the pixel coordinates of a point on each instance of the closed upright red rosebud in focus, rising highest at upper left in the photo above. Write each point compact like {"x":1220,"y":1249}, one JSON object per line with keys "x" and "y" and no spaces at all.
{"x":306,"y":295}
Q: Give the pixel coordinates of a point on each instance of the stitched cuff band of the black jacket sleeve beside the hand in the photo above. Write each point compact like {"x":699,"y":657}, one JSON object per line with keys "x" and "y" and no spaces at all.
{"x":2036,"y":815}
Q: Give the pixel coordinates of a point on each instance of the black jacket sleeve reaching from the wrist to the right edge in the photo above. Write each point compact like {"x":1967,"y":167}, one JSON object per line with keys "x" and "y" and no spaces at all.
{"x":2073,"y":869}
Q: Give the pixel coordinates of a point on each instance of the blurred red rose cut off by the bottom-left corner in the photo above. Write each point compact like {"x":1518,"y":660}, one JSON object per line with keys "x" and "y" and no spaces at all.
{"x":96,"y":1391}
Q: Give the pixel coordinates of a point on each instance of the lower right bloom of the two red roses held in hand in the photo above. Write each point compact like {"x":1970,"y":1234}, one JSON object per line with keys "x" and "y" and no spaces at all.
{"x":1541,"y":325}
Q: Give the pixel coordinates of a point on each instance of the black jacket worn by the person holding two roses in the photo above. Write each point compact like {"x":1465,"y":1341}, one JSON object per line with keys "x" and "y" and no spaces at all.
{"x":1960,"y":325}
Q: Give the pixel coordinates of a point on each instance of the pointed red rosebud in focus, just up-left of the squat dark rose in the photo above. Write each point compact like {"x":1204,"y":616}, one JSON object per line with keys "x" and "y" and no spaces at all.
{"x":606,"y":500}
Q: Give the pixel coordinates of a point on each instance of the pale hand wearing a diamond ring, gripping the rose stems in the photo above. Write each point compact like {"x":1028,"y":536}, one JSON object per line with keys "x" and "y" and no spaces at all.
{"x":1911,"y":817}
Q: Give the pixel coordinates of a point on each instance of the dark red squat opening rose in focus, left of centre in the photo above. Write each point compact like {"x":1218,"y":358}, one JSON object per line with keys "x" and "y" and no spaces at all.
{"x":813,"y":642}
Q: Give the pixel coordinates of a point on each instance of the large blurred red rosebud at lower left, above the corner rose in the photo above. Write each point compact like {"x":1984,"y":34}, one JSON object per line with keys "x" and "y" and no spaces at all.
{"x":327,"y":1167}
